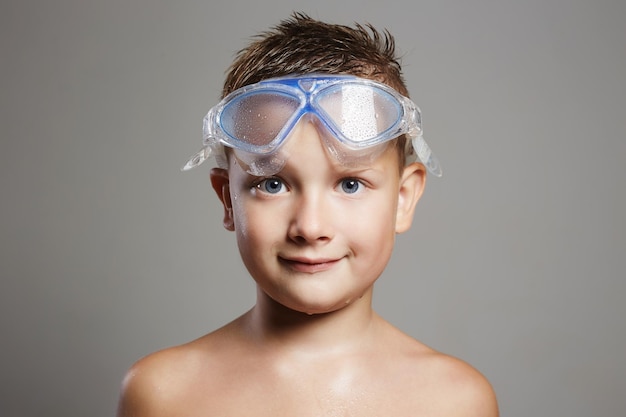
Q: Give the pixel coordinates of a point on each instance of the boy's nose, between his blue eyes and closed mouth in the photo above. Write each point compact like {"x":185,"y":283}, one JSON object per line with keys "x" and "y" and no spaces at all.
{"x":312,"y":219}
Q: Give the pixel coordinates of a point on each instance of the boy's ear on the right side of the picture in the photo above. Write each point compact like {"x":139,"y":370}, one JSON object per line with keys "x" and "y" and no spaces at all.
{"x":412,"y":183}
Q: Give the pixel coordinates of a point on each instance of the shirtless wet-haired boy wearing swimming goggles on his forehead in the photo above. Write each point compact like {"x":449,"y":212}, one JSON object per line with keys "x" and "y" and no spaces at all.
{"x":315,"y":143}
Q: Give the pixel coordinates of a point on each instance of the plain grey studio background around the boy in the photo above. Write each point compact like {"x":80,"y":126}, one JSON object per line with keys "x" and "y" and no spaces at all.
{"x":515,"y":263}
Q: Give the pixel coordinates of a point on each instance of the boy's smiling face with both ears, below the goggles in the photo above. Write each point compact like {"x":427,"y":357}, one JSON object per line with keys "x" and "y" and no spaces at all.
{"x":317,"y":235}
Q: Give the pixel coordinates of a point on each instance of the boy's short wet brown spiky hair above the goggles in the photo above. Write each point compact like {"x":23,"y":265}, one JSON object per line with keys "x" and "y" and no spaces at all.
{"x":301,"y":45}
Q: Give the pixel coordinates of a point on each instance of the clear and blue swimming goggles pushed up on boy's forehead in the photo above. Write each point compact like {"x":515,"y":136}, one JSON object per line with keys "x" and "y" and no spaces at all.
{"x":357,"y":116}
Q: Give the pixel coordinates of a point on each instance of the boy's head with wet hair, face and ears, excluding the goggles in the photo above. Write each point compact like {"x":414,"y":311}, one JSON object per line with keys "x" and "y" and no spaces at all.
{"x":316,"y":235}
